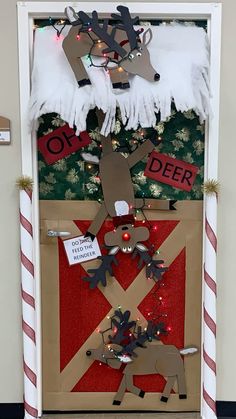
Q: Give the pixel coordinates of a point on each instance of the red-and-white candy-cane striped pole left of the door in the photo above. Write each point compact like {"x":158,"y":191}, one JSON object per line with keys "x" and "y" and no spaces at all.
{"x":28,"y":306}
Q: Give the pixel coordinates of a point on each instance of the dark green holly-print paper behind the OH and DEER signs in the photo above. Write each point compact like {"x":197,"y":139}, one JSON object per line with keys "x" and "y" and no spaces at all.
{"x":73,"y":179}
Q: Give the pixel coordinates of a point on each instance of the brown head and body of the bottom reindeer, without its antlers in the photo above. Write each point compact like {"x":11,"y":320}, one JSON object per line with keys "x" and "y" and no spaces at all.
{"x":152,"y":359}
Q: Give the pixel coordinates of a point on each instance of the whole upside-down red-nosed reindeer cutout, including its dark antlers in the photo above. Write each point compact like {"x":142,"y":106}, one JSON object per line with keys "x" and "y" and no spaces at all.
{"x":120,"y":203}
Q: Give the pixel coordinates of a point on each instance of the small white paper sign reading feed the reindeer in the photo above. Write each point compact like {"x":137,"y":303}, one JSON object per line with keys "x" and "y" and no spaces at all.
{"x":81,"y":249}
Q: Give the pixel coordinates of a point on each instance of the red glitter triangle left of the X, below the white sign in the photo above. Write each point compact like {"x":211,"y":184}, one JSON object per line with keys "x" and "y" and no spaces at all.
{"x":81,"y":310}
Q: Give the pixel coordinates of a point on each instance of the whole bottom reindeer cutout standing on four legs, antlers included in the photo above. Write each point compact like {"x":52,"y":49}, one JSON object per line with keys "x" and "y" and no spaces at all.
{"x":141,"y":360}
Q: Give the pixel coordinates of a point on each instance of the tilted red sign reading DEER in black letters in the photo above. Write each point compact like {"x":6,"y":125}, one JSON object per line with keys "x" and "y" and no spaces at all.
{"x":165,"y":169}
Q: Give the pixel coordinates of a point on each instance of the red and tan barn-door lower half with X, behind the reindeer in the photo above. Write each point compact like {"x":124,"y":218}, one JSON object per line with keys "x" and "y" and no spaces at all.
{"x":73,"y":314}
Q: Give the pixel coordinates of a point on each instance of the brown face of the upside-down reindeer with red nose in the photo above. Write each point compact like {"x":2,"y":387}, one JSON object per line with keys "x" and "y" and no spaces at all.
{"x":126,"y":237}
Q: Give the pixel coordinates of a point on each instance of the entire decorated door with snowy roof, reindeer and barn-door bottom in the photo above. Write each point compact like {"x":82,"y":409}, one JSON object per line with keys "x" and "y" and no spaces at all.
{"x":120,"y":211}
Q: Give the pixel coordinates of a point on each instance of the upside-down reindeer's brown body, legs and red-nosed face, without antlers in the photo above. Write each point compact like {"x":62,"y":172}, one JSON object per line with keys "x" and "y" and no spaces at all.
{"x":119,"y":201}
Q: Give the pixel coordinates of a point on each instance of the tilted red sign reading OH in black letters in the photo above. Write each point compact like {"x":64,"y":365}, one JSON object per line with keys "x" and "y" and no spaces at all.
{"x":61,"y":143}
